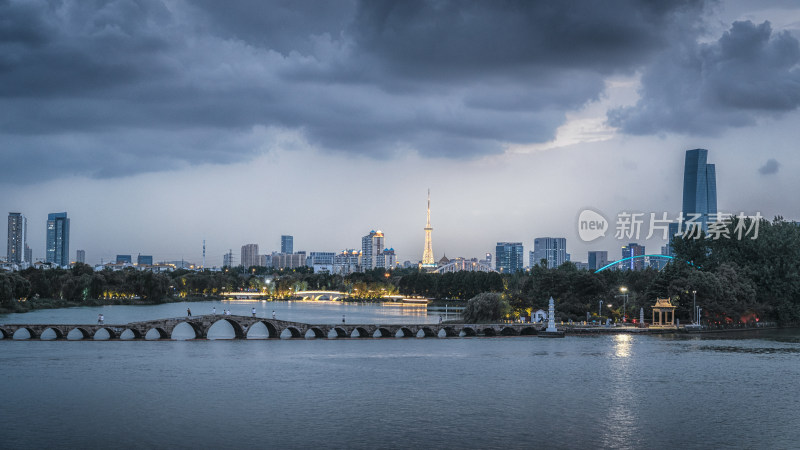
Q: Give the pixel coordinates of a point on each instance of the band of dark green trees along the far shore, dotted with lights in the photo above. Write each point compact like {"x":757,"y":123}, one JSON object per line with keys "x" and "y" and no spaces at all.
{"x":735,"y":281}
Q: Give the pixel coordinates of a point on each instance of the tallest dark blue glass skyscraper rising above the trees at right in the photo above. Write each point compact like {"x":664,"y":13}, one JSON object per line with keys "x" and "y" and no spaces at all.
{"x":699,"y":187}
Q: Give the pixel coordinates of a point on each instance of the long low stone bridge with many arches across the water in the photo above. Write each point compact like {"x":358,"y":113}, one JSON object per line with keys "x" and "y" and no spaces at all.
{"x":245,"y":327}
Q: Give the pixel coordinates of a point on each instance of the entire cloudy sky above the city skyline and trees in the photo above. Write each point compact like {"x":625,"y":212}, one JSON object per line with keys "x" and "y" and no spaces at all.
{"x":157,"y":124}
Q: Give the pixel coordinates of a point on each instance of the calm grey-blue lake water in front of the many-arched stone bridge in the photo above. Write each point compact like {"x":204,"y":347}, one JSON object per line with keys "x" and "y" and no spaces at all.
{"x":576,"y":392}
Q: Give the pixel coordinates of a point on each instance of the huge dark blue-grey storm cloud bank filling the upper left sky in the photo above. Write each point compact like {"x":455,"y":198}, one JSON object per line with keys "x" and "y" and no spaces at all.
{"x":114,"y":88}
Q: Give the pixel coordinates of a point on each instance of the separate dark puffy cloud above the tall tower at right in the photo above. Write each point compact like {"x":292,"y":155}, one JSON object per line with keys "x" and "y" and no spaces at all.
{"x":694,"y":88}
